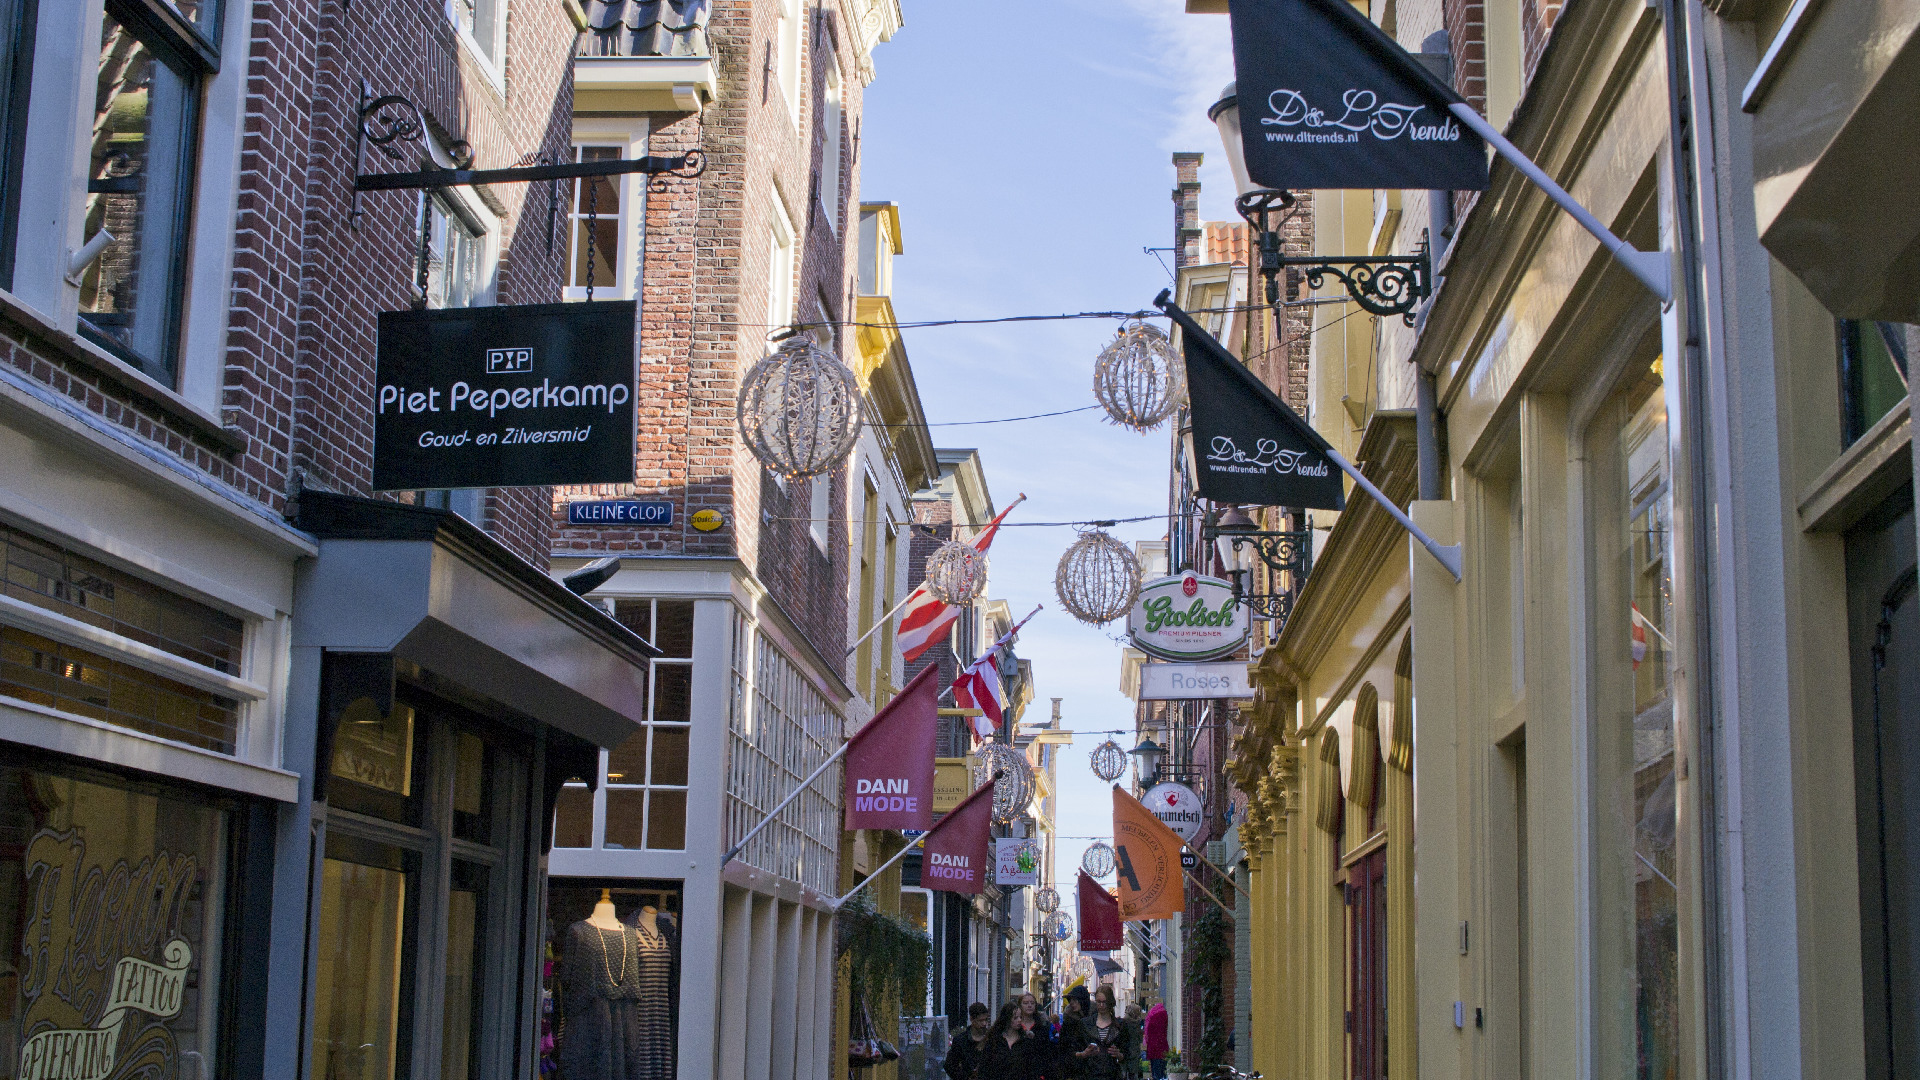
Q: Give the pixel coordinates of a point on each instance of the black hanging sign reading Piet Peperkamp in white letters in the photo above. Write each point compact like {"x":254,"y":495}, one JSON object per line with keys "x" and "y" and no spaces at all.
{"x":506,"y":397}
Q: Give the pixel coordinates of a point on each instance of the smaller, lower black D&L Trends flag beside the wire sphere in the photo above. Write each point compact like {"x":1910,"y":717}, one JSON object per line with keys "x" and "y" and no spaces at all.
{"x":1251,"y":449}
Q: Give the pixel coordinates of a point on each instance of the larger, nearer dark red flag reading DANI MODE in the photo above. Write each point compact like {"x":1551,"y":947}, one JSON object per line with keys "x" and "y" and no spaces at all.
{"x":890,"y":762}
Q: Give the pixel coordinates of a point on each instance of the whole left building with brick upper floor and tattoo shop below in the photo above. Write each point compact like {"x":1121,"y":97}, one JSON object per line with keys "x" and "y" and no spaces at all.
{"x":331,"y":724}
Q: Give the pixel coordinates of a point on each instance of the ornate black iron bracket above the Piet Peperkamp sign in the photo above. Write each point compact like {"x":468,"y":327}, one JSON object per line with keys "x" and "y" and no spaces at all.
{"x":391,"y":122}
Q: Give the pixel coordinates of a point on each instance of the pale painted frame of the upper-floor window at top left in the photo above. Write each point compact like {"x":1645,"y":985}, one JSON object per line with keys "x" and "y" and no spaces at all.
{"x":53,"y":216}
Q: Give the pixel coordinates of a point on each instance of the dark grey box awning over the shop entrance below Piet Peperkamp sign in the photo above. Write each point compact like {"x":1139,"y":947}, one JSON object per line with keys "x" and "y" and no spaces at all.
{"x":433,"y":589}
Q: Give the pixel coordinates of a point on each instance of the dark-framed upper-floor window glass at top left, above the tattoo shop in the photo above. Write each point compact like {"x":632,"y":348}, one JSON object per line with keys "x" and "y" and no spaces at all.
{"x":141,"y":178}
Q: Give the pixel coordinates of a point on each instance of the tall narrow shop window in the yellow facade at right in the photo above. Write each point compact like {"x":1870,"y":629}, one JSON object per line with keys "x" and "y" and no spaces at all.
{"x":1637,"y":814}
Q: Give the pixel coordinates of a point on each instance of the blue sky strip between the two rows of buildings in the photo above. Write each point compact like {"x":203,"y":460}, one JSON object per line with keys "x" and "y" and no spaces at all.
{"x":1028,"y":145}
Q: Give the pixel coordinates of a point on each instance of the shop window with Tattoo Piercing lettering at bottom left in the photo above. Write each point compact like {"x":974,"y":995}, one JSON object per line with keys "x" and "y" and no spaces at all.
{"x":114,"y":906}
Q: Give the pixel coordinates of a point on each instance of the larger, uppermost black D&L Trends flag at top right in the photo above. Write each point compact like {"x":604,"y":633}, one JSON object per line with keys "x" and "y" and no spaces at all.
{"x":1328,"y":101}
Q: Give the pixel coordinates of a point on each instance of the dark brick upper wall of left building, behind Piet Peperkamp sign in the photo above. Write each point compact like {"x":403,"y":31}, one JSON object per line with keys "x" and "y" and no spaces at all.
{"x":306,"y":285}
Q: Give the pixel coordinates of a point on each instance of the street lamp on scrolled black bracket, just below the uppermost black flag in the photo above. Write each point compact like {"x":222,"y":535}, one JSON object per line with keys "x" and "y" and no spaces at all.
{"x":1380,"y":285}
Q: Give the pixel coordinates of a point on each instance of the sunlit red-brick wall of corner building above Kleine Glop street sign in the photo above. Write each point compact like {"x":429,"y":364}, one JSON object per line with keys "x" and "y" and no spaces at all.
{"x":704,"y":312}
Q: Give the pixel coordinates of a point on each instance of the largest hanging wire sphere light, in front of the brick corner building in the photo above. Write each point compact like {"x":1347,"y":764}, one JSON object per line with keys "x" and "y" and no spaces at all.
{"x":800,"y":410}
